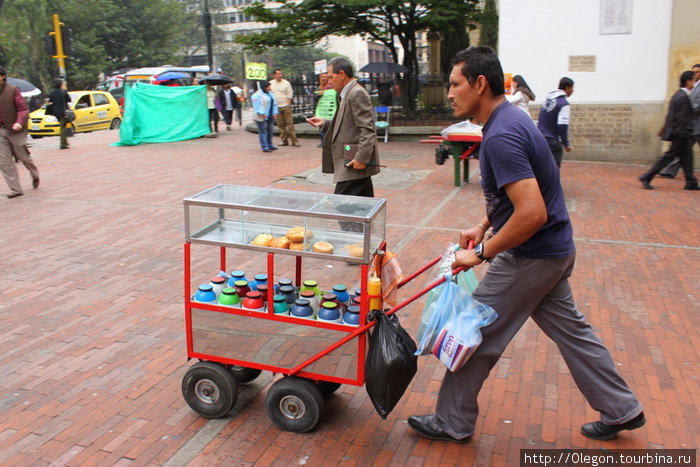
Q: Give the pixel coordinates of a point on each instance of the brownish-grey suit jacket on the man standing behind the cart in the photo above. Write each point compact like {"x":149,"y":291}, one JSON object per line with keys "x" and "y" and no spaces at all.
{"x":353,"y":126}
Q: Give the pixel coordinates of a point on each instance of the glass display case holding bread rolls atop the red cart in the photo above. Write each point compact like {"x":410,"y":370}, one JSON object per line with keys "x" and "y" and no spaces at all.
{"x":301,"y":223}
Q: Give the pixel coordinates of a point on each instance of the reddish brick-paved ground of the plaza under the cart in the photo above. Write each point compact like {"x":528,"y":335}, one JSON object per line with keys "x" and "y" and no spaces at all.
{"x":92,"y":329}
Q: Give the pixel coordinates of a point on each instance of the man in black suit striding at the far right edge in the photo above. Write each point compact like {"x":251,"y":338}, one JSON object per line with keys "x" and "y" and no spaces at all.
{"x":679,"y":131}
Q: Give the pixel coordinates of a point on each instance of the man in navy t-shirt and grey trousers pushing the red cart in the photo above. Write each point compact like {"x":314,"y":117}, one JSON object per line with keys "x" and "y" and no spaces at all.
{"x":532,"y":255}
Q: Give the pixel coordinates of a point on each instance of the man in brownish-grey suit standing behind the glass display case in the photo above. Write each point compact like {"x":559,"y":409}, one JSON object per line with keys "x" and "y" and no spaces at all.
{"x":350,"y":146}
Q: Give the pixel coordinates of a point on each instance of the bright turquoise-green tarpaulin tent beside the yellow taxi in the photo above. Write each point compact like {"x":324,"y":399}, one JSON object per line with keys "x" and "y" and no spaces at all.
{"x":161,"y":114}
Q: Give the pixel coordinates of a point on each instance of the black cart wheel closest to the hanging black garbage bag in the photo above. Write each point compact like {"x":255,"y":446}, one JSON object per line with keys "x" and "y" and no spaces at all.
{"x":294,"y":404}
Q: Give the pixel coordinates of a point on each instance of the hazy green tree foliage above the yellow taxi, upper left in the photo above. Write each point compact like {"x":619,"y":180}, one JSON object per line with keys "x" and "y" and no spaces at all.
{"x":107,"y":35}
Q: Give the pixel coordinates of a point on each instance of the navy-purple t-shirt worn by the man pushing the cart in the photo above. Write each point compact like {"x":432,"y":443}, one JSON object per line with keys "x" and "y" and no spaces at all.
{"x":513,"y":149}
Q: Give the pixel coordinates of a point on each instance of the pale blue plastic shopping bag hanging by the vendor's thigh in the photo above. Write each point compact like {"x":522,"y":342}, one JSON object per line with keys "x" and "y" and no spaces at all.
{"x":452,"y":331}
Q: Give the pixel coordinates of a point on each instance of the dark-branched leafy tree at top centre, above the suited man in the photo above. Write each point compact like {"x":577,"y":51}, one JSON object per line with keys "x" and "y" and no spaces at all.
{"x":388,"y":22}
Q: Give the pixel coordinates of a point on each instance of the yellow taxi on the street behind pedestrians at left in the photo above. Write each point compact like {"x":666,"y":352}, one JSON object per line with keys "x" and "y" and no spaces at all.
{"x":94,"y":110}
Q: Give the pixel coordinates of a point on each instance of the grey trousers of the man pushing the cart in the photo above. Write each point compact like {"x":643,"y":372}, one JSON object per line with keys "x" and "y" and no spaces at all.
{"x":518,"y":288}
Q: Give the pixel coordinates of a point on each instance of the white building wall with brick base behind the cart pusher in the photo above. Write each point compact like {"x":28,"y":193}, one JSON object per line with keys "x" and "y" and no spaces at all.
{"x":625,"y":57}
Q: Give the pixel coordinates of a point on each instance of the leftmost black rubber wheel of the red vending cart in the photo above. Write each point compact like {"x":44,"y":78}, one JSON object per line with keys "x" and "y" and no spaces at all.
{"x":210,"y":389}
